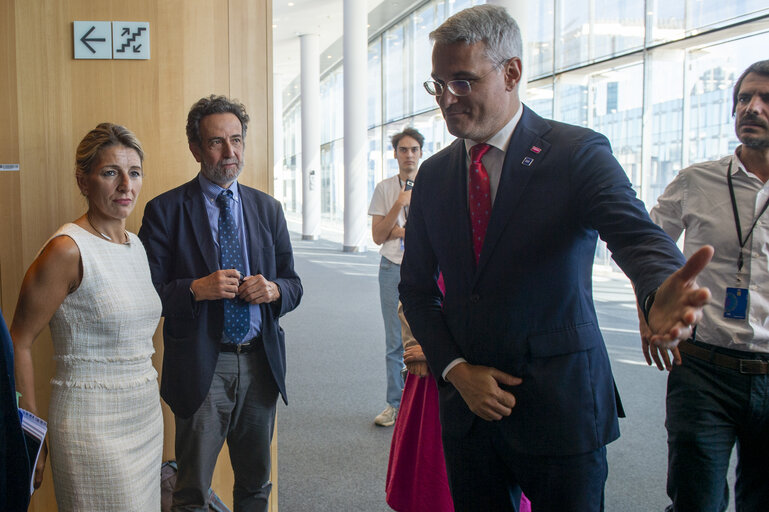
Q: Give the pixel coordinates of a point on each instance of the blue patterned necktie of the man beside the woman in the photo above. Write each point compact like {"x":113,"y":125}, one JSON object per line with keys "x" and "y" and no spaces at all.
{"x":236,"y":312}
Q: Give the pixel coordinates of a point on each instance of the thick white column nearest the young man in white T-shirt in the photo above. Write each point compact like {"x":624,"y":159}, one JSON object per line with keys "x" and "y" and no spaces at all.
{"x":355,"y":118}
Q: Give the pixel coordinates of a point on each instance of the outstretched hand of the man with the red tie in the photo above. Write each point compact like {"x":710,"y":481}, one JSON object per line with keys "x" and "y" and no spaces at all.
{"x":678,"y":303}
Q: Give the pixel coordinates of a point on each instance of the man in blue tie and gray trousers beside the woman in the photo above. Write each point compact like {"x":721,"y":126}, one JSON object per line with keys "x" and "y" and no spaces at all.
{"x":222,"y":263}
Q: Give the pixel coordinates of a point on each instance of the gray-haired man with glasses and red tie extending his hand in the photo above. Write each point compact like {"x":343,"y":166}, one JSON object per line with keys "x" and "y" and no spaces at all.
{"x":510,"y":214}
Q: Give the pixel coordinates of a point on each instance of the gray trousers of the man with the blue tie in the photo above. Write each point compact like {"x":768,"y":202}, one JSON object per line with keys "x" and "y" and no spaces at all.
{"x":240,"y":407}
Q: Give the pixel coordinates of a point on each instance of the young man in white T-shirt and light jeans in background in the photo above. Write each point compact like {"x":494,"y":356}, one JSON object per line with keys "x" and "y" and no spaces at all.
{"x":389,"y":211}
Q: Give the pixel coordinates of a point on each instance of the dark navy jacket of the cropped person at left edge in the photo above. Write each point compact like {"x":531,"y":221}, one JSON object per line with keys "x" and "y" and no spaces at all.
{"x":14,"y":464}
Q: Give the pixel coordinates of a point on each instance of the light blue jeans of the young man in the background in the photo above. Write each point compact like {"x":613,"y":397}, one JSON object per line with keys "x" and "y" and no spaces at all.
{"x":389,"y":277}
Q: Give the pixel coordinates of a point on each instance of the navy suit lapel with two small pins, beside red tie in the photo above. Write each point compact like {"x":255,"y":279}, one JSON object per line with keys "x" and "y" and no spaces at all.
{"x":524,"y":153}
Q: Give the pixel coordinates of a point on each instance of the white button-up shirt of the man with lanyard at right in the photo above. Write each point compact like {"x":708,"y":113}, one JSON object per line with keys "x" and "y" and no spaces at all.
{"x":698,"y":203}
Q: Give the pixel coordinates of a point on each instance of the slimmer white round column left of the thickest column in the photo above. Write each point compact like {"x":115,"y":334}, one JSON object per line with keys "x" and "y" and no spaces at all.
{"x":310,"y":88}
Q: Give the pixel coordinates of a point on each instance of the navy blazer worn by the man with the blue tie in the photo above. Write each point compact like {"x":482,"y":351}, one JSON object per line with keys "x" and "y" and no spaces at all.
{"x":176,"y":233}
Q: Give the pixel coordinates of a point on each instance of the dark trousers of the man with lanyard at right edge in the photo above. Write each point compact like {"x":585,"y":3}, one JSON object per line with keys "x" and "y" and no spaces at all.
{"x":709,"y":409}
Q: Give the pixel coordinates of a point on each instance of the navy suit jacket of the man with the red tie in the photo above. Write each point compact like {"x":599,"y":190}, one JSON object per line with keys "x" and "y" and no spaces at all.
{"x":527,"y":308}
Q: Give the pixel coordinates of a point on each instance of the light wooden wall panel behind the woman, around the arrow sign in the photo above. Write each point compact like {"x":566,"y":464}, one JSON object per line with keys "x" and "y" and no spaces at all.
{"x":48,"y":101}
